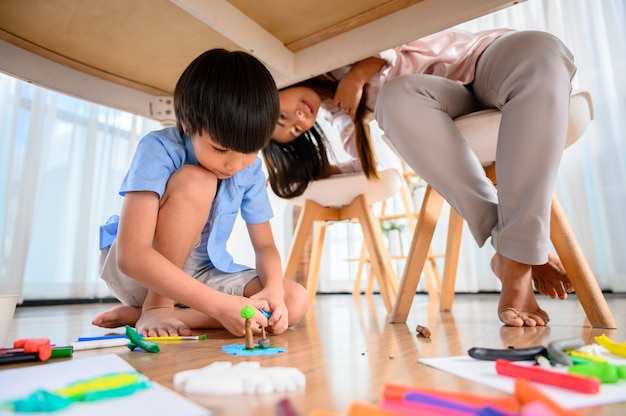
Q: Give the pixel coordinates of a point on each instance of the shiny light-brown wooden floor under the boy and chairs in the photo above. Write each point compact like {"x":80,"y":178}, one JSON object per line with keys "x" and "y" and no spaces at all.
{"x":346,"y":347}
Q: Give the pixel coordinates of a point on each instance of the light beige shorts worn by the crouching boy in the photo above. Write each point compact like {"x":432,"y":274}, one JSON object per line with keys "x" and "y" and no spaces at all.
{"x":132,"y":293}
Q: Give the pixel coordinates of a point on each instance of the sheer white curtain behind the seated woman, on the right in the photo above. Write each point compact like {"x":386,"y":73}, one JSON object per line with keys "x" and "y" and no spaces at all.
{"x":592,"y":179}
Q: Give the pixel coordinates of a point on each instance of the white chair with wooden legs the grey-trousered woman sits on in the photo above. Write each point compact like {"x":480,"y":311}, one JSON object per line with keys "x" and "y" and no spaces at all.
{"x":480,"y":129}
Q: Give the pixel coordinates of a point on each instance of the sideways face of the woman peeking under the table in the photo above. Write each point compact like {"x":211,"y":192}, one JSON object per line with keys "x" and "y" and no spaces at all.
{"x":298,"y":110}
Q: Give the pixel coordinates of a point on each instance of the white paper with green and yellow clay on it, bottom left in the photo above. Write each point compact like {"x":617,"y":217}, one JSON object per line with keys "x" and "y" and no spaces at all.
{"x":156,"y":400}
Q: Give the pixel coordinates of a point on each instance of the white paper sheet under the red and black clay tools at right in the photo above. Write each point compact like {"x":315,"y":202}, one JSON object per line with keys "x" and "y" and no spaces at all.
{"x":484,"y":372}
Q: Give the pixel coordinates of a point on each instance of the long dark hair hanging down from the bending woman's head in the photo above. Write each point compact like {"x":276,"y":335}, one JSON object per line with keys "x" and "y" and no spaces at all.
{"x":291,"y":166}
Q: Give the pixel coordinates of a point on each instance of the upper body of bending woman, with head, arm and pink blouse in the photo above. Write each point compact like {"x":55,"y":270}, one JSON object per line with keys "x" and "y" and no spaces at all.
{"x":298,"y":152}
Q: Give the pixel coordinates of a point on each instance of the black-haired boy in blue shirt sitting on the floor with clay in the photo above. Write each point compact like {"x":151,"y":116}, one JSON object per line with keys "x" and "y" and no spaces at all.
{"x":182,"y":194}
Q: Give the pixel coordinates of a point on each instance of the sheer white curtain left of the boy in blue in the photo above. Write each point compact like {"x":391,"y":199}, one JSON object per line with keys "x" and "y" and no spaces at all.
{"x":61,"y":163}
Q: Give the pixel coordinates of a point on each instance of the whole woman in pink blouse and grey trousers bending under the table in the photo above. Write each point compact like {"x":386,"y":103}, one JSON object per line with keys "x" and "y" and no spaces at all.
{"x":424,"y":85}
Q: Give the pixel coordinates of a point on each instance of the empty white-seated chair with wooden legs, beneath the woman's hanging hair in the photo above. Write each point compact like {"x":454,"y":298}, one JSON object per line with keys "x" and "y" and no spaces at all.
{"x":345,"y":197}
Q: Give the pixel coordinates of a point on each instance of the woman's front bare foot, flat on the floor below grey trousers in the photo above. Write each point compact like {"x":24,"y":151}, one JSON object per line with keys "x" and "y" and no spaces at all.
{"x":517,"y":306}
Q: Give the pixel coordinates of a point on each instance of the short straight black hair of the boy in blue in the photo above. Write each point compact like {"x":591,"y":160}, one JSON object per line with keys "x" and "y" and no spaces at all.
{"x":231,"y":96}
